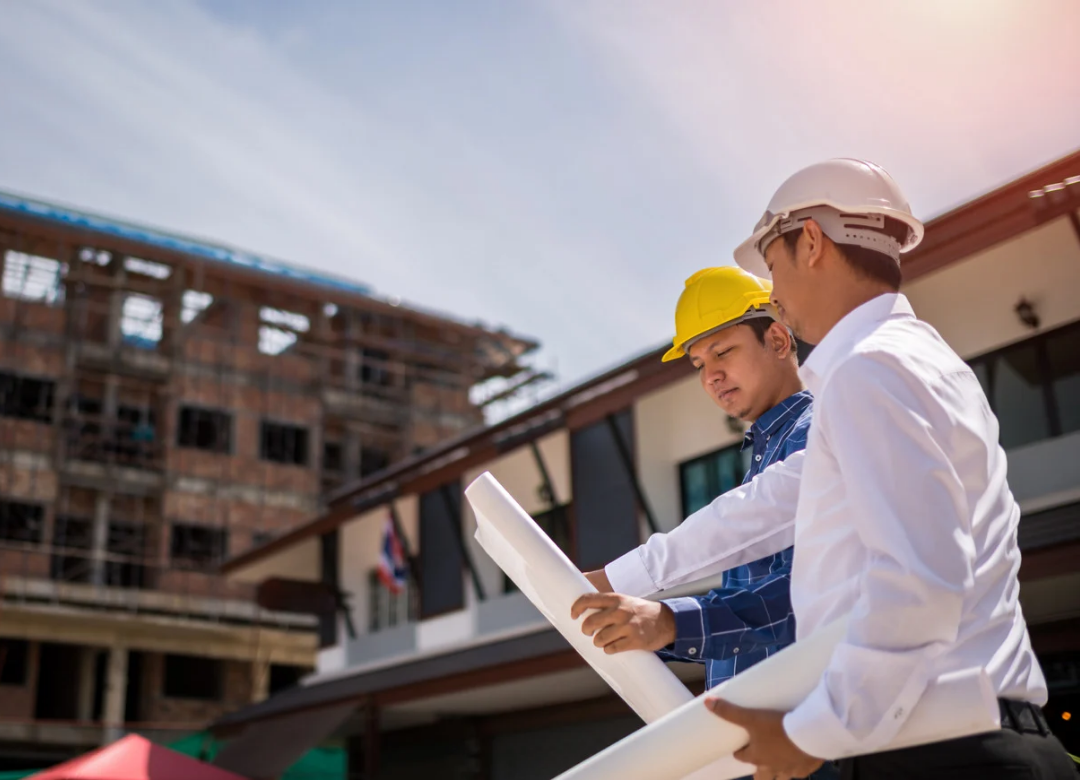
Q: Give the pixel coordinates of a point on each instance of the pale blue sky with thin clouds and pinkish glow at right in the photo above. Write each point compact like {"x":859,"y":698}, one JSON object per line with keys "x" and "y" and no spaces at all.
{"x":555,"y":167}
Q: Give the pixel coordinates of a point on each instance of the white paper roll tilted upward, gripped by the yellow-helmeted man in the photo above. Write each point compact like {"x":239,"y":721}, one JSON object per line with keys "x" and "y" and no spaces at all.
{"x":548,"y":579}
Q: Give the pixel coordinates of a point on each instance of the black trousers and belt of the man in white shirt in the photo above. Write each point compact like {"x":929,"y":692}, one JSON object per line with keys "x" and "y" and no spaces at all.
{"x":1023,"y":750}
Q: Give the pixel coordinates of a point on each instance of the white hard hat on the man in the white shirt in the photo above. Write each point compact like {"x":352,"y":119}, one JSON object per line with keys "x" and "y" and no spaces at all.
{"x":850,"y":199}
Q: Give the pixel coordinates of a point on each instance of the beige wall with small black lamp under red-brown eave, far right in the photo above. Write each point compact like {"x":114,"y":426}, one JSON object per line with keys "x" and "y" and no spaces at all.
{"x":971,"y":303}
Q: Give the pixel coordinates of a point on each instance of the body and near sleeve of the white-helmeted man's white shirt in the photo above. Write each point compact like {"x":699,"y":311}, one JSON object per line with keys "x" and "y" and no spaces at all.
{"x":907,"y":522}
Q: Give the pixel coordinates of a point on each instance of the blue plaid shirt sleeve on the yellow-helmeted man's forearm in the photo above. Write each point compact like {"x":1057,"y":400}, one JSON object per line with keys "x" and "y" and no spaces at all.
{"x":734,"y":621}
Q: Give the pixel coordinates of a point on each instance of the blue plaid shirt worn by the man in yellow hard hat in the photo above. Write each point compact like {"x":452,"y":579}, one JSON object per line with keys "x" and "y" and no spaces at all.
{"x":750,"y":618}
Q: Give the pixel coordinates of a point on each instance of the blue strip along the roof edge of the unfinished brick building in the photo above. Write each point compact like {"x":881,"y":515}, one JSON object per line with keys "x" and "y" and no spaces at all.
{"x":84,"y":221}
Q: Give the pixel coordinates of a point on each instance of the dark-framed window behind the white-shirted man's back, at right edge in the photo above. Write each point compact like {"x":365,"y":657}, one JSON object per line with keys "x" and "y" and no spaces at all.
{"x":1033,"y":386}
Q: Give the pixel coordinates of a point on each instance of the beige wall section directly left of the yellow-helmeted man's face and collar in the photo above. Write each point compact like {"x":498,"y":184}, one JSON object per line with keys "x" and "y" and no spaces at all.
{"x":673,"y":425}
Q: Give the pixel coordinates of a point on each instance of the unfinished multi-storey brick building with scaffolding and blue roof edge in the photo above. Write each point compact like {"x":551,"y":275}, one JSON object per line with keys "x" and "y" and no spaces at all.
{"x":165,"y":405}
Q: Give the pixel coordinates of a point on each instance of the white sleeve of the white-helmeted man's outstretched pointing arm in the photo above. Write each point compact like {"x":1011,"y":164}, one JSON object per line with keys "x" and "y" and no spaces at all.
{"x":745,"y":525}
